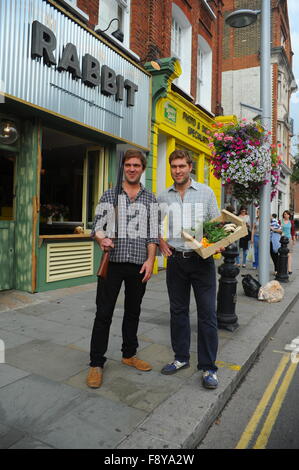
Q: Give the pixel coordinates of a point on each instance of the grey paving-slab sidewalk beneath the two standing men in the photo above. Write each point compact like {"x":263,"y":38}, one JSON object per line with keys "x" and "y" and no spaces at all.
{"x":44,"y":402}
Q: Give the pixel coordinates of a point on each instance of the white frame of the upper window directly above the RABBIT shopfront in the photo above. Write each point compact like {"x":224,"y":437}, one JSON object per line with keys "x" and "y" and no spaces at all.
{"x":125,"y":5}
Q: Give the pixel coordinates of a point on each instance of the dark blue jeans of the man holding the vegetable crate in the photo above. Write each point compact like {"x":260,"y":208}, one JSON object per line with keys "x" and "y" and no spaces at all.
{"x":200,"y":274}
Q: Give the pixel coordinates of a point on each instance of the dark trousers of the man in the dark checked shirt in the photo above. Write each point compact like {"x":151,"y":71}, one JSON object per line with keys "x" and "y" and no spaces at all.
{"x":107,"y":293}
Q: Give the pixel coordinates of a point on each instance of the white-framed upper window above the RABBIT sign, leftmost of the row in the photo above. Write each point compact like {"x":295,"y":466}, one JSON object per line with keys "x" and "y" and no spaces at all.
{"x":120,"y":9}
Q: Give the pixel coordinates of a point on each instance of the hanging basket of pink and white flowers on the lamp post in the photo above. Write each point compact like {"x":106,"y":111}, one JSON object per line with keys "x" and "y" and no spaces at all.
{"x":242,"y":157}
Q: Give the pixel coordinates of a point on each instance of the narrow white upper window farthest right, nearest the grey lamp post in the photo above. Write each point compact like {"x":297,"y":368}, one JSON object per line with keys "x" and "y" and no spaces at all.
{"x":204,"y":74}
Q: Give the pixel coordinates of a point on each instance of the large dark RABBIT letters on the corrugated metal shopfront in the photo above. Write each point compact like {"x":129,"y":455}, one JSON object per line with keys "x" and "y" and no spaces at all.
{"x":91,"y":73}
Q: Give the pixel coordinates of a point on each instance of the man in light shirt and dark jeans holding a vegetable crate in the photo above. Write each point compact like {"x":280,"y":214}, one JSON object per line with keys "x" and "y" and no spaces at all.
{"x":185,"y":268}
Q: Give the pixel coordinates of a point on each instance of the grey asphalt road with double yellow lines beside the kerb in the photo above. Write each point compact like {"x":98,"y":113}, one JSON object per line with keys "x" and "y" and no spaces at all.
{"x":264,"y":411}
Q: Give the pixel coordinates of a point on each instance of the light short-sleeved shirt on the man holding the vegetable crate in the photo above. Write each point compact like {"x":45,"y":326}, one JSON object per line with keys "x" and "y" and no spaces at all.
{"x":199,"y":205}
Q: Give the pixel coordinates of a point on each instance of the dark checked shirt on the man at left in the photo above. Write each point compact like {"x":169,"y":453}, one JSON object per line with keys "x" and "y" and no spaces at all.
{"x":137,"y":224}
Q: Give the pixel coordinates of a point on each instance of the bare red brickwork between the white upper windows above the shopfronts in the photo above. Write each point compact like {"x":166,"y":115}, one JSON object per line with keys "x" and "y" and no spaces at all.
{"x":151,"y":26}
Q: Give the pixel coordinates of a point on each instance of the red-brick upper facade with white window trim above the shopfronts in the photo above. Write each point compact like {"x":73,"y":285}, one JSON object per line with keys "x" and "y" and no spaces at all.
{"x":150,"y":32}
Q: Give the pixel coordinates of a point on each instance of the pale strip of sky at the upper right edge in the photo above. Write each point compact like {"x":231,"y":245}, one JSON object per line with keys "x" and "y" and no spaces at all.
{"x":293,"y":9}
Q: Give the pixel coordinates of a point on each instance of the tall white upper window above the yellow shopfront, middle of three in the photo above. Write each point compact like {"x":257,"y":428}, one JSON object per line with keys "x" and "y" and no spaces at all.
{"x":181,"y":38}
